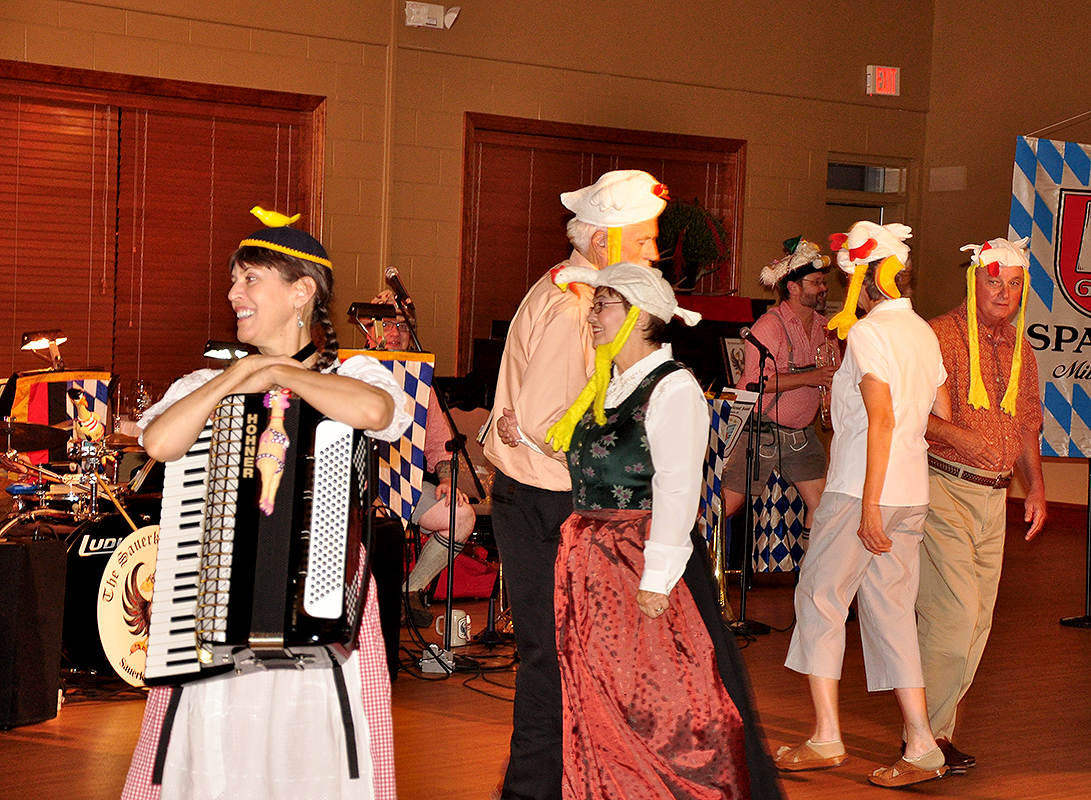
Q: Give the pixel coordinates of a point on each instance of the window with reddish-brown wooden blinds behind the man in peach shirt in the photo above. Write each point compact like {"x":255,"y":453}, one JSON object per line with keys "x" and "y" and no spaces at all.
{"x":513,"y":222}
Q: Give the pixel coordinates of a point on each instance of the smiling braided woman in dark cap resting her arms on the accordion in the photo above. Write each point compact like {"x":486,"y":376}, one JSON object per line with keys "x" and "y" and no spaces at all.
{"x":277,"y":734}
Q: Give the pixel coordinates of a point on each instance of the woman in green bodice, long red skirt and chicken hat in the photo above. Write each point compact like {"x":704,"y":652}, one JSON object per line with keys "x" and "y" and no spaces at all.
{"x":656,"y":698}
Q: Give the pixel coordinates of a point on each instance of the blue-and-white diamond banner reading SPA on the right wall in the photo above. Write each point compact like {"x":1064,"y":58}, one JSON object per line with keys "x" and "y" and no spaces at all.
{"x":1051,"y":204}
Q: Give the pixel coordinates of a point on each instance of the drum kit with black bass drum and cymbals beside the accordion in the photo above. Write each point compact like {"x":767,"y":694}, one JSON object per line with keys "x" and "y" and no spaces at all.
{"x":109,"y":529}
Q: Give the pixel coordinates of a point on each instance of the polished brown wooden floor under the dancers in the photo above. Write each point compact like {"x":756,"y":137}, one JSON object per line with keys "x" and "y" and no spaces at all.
{"x":1027,"y":720}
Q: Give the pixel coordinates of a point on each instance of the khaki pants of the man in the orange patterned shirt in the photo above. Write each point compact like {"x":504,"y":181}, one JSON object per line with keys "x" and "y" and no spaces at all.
{"x":961,"y":571}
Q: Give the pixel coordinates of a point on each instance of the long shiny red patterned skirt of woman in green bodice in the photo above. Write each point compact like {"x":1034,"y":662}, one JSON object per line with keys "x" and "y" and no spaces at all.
{"x":646,"y":714}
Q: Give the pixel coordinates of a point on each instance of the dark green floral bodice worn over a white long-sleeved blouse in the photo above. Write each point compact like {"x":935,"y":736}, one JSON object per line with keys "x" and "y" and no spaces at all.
{"x":610,"y":464}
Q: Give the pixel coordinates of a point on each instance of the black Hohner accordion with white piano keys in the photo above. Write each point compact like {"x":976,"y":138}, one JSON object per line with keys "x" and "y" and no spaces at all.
{"x":241,"y":590}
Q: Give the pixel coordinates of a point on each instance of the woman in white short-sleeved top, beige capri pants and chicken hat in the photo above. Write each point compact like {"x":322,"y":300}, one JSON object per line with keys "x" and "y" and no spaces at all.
{"x":868,"y":529}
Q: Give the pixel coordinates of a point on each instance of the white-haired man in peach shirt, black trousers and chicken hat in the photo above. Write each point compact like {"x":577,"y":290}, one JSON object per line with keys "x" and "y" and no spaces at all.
{"x":548,"y":360}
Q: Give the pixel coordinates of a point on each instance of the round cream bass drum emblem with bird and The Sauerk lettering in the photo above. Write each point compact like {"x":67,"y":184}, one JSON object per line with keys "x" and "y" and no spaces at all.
{"x":125,"y":603}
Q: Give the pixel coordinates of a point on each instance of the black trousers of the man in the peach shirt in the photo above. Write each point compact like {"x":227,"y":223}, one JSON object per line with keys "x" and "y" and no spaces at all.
{"x":526,"y":522}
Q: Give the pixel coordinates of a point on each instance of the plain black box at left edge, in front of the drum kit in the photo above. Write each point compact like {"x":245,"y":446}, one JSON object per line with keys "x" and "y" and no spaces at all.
{"x":32,"y":604}
